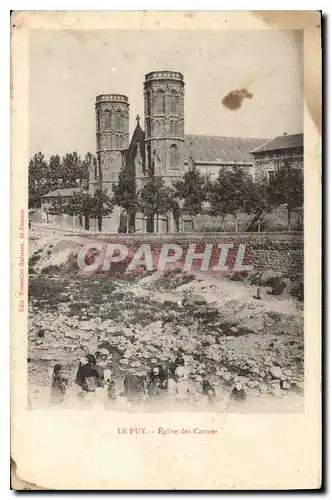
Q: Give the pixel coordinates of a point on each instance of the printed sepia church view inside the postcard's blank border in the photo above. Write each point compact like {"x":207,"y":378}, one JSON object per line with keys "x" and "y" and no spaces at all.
{"x":166,"y":221}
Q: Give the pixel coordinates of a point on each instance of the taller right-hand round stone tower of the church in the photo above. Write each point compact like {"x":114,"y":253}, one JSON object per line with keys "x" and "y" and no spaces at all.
{"x":164,"y":124}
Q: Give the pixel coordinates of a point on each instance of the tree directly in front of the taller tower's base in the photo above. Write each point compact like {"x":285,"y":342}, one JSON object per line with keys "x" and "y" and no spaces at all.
{"x":156,"y":199}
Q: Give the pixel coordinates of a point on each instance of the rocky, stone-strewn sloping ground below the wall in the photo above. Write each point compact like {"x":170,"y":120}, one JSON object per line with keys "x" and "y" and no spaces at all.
{"x":225,"y":334}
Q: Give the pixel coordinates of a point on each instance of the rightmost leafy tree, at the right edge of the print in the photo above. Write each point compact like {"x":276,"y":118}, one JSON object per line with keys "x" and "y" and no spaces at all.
{"x":287,"y":188}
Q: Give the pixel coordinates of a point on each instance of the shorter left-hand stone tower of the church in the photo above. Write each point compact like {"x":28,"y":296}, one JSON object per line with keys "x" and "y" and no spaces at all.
{"x":112,"y":139}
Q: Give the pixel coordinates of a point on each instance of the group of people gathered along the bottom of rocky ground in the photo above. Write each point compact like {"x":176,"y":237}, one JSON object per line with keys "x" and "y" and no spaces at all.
{"x":161,"y":381}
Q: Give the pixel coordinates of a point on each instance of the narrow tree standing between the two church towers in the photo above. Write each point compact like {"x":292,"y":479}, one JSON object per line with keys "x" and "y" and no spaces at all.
{"x":126,"y":196}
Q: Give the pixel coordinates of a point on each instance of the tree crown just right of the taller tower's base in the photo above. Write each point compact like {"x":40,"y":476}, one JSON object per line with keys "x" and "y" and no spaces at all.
{"x":191,"y":191}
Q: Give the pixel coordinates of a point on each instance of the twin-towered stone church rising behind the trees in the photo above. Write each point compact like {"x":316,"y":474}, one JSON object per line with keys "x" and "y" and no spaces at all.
{"x":162,"y":148}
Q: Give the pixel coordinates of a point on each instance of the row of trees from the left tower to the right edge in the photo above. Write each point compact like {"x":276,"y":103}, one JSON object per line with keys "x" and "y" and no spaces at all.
{"x":232,"y":192}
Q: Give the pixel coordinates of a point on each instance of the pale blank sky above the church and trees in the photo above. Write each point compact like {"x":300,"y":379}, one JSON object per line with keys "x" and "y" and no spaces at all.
{"x":68,"y":69}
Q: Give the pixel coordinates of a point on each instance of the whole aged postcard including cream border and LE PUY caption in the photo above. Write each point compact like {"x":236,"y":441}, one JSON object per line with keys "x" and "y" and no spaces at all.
{"x":166,"y":248}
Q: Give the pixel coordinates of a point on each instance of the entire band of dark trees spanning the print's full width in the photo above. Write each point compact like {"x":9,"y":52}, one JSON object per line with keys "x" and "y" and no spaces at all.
{"x":232,"y":192}
